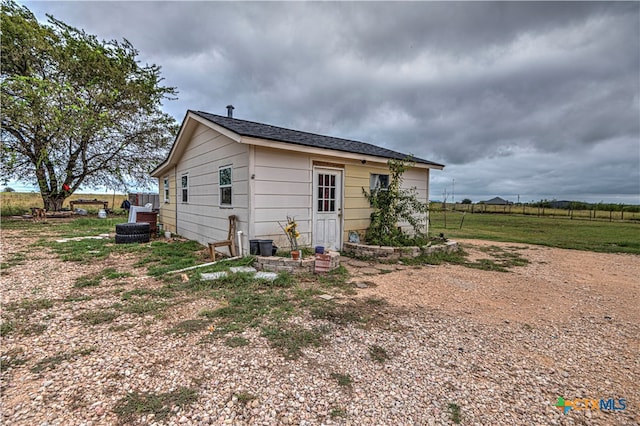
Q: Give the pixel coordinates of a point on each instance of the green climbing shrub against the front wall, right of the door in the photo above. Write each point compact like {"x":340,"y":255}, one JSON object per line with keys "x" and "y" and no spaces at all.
{"x":392,"y":205}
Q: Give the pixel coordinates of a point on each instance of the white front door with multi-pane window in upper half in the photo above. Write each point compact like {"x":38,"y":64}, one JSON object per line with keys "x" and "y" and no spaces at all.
{"x":327,"y":208}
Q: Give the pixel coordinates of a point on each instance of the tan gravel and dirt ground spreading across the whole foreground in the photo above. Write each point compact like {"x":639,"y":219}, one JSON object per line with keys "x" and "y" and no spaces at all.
{"x":463,"y":345}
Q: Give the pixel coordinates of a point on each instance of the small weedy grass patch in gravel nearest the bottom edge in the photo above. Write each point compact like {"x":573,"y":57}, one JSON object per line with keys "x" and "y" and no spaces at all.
{"x":160,"y":405}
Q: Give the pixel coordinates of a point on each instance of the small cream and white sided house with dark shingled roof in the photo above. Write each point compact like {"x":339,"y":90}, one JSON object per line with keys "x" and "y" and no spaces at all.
{"x":220,"y":166}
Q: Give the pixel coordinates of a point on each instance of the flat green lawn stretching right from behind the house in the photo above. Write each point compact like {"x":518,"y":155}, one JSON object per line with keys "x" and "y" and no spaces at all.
{"x":608,"y":237}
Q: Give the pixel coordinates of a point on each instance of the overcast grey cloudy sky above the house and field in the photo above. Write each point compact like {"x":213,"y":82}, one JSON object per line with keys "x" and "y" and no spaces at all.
{"x":525,"y":101}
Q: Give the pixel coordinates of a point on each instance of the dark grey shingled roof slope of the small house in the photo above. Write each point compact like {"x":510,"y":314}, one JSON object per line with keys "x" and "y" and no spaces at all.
{"x":280,"y":134}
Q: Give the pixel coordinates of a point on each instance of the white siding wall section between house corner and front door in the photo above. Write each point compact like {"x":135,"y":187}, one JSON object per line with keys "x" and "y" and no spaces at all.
{"x":282,"y":187}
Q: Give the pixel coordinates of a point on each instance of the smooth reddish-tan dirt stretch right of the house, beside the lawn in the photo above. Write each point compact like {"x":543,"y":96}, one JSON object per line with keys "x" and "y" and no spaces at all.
{"x":556,"y":286}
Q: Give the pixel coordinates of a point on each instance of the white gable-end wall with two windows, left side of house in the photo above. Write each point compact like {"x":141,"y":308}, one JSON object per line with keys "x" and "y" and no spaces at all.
{"x":201,"y":218}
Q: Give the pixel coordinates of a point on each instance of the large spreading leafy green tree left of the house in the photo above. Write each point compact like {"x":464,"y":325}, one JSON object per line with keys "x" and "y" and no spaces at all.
{"x":77,"y":110}
